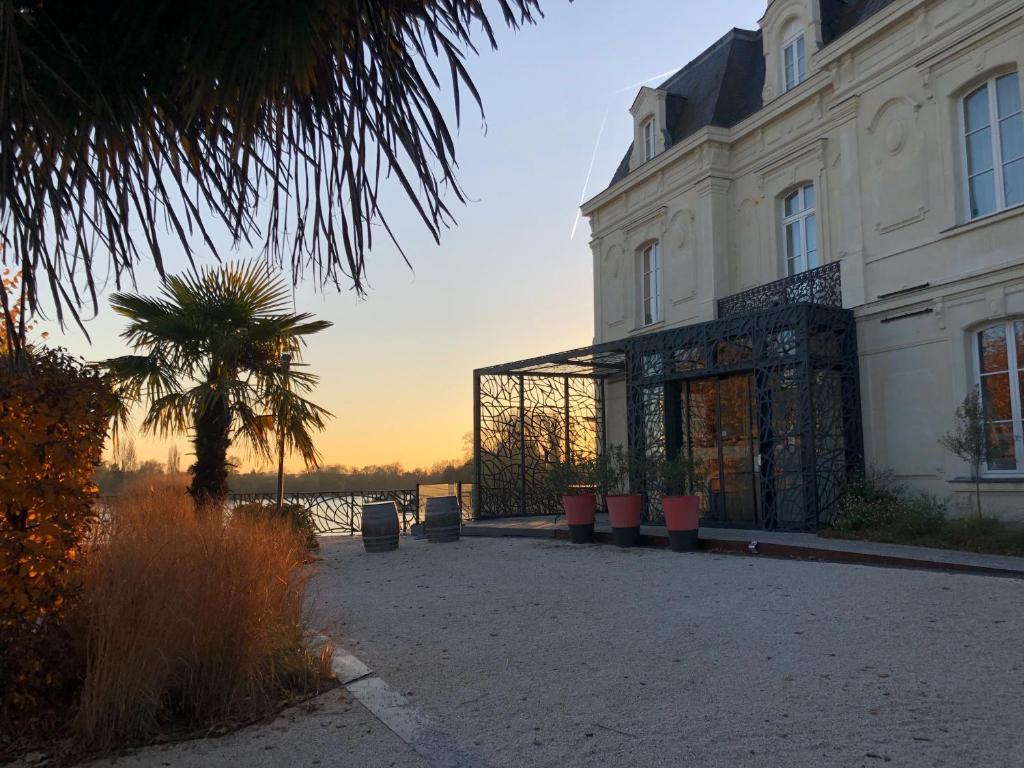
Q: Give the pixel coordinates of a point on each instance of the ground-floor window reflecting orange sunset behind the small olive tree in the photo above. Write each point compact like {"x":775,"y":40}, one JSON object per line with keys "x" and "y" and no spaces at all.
{"x":1001,"y":379}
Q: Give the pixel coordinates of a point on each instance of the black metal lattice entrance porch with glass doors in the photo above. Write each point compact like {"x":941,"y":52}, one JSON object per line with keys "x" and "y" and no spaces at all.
{"x":773,"y":394}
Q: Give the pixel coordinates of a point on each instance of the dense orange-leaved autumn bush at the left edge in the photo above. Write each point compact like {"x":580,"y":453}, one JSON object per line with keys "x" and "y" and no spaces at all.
{"x":54,"y":417}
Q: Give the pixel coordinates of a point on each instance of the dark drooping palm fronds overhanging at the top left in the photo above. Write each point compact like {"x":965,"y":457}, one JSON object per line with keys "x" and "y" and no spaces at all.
{"x":122,"y":120}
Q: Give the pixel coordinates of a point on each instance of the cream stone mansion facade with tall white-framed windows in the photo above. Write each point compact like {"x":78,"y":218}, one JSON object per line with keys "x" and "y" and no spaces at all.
{"x":859,"y":148}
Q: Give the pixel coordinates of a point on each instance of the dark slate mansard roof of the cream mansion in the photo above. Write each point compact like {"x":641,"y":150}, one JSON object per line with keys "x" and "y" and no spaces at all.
{"x":722,"y":87}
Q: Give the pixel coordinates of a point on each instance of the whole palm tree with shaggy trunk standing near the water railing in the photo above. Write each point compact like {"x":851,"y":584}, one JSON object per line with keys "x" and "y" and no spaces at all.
{"x":217,"y":357}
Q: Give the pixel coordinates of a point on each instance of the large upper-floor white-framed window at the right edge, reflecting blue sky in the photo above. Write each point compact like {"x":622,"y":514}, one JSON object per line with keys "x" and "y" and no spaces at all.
{"x":994,"y":135}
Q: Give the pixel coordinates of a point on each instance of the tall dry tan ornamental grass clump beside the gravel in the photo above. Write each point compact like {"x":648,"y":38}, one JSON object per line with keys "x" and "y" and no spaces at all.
{"x":188,"y":620}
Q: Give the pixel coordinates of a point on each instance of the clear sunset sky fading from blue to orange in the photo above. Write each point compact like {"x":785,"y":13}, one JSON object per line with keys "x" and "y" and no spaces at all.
{"x":507,"y":283}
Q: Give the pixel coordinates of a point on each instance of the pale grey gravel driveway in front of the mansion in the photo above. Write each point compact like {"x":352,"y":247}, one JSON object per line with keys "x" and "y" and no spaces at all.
{"x":542,"y":654}
